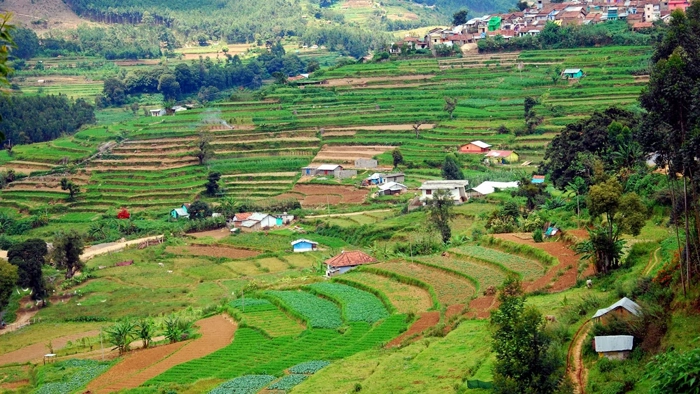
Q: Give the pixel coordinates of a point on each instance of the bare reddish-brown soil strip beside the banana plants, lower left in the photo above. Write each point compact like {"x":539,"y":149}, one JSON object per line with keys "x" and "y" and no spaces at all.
{"x":217,"y":332}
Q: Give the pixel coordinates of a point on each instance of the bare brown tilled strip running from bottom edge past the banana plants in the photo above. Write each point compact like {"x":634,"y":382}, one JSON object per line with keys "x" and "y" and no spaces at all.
{"x":217,"y":332}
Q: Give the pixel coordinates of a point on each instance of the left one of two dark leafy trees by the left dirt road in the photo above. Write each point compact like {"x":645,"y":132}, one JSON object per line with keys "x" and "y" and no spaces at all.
{"x":29,"y":257}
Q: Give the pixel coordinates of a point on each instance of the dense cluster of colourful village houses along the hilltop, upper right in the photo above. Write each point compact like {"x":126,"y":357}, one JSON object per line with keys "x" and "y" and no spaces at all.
{"x":638,"y":13}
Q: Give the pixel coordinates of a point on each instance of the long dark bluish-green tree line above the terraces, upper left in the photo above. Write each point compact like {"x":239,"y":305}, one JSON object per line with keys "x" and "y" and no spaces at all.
{"x":204,"y":75}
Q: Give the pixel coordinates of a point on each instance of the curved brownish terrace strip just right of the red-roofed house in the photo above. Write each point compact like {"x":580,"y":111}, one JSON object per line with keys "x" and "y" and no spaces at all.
{"x":451,"y":289}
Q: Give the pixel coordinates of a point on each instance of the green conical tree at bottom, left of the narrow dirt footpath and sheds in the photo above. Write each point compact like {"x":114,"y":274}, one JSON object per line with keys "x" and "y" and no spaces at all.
{"x":526,"y":361}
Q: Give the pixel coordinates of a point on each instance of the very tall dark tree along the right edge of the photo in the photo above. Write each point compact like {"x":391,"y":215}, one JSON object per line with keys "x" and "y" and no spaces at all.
{"x":671,"y":129}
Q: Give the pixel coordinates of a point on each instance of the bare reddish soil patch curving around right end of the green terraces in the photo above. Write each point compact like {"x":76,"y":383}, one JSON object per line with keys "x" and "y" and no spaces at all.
{"x":568,"y":264}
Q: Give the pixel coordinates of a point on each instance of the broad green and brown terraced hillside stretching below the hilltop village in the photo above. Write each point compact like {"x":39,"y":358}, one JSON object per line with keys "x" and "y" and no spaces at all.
{"x":261,"y":145}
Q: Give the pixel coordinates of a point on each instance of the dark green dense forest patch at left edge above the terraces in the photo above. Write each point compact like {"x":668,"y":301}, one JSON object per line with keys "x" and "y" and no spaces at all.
{"x":27,"y":119}
